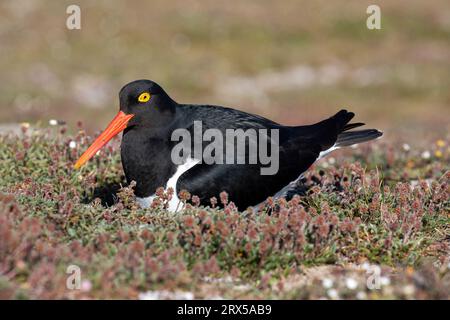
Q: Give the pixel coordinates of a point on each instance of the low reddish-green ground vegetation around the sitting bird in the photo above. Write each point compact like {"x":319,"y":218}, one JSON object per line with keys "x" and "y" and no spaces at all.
{"x":377,"y":210}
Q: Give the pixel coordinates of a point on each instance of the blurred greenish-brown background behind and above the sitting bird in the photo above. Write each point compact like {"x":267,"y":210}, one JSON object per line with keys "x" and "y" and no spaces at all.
{"x":295,"y":62}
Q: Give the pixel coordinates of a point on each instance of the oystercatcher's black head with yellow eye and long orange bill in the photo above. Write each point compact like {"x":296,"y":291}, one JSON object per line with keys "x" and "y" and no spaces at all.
{"x":143,"y":104}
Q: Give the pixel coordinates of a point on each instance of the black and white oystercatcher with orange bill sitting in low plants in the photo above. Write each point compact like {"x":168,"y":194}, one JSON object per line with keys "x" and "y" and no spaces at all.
{"x":148,"y":117}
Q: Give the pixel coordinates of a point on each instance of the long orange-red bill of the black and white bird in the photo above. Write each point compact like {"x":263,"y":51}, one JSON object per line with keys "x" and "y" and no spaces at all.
{"x":117,"y":125}
